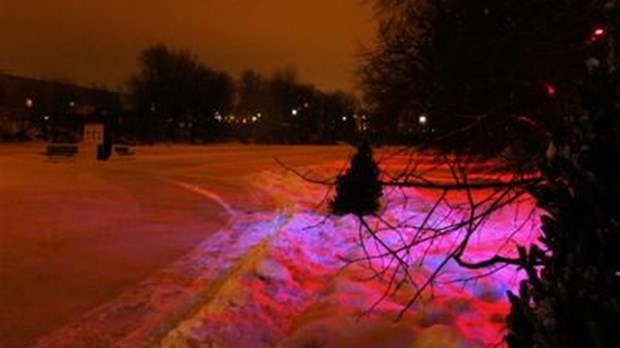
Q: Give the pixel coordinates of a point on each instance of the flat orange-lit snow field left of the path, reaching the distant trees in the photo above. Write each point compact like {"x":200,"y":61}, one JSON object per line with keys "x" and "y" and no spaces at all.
{"x":76,"y":234}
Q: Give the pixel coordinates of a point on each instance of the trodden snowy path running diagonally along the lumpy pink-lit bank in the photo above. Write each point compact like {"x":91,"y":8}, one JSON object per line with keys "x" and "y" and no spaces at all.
{"x":141,"y":316}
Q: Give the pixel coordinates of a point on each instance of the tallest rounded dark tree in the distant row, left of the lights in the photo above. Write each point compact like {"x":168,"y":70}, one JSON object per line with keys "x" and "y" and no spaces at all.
{"x":174,"y":93}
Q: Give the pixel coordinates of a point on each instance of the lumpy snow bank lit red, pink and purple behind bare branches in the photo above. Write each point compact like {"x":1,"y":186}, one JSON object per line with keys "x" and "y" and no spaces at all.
{"x":298,"y":291}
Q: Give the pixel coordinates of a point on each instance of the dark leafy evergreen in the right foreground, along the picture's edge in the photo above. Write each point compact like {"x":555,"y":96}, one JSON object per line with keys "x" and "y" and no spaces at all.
{"x":575,"y":298}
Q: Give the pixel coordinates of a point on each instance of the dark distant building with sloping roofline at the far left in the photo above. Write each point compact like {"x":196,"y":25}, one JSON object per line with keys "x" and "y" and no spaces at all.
{"x":32,"y":107}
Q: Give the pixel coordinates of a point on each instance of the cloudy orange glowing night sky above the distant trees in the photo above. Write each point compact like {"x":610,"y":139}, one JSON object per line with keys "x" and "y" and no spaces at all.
{"x":97,"y":41}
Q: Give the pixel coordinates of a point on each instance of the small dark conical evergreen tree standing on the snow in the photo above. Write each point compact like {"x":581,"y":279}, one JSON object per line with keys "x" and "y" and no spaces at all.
{"x":358,"y":191}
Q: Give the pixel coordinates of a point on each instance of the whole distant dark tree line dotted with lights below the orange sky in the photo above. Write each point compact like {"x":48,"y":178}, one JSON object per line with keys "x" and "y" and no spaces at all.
{"x":177,"y":98}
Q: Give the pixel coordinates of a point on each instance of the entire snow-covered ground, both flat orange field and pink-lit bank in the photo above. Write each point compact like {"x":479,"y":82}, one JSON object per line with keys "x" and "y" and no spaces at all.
{"x":214,"y":246}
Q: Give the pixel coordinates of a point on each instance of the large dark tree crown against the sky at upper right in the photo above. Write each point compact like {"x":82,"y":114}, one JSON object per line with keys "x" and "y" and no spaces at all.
{"x":475,"y":68}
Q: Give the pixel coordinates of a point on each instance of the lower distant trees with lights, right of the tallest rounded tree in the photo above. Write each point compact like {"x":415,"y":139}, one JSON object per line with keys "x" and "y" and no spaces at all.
{"x":291,"y":111}
